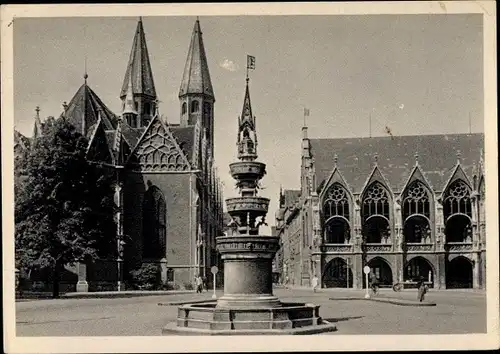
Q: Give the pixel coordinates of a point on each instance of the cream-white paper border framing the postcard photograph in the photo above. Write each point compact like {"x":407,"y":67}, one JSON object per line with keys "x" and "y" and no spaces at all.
{"x":252,"y":343}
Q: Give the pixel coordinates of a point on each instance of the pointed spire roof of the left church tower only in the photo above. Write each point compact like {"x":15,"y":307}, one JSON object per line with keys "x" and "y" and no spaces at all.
{"x":139,"y":67}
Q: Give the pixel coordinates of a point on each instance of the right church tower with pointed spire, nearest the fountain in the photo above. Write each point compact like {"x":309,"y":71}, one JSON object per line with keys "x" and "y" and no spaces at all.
{"x":196,"y":94}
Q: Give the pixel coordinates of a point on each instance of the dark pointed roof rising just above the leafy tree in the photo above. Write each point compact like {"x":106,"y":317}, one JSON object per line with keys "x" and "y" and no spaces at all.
{"x":83,"y":111}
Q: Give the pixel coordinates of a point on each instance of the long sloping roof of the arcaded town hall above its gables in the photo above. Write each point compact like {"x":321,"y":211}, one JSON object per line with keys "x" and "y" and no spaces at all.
{"x":396,"y":156}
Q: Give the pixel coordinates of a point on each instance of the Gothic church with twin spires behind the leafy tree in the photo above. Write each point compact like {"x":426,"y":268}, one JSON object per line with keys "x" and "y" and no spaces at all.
{"x":169,"y":198}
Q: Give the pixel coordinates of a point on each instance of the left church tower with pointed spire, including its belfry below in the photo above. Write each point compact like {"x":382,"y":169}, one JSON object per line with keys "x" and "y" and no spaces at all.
{"x":140,"y":77}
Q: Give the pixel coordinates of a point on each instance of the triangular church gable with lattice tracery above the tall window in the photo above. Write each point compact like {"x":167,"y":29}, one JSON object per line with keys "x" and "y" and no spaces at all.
{"x":157,"y":150}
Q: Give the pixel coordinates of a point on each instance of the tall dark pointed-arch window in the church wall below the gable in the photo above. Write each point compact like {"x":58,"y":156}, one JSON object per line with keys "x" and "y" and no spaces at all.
{"x":154,"y":224}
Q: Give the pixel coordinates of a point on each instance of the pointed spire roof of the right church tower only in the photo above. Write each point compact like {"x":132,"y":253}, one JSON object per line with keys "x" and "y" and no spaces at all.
{"x":196,"y":77}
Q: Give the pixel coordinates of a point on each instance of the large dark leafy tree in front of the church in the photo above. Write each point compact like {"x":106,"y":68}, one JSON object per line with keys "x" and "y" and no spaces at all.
{"x":64,"y":208}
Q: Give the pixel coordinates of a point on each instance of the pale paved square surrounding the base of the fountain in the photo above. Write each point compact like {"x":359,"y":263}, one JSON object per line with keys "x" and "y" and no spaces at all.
{"x":457,"y":312}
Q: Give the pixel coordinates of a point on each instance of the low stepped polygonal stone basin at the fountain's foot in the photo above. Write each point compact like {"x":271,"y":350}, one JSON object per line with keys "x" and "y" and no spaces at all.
{"x":208,"y":319}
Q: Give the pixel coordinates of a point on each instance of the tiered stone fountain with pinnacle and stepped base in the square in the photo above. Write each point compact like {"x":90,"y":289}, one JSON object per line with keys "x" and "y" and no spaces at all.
{"x":248,"y":305}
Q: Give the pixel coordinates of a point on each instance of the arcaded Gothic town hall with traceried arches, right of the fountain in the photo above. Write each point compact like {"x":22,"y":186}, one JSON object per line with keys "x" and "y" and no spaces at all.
{"x":409,"y":207}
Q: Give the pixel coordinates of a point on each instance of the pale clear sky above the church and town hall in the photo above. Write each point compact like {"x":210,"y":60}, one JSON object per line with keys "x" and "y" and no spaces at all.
{"x":417,"y":74}
